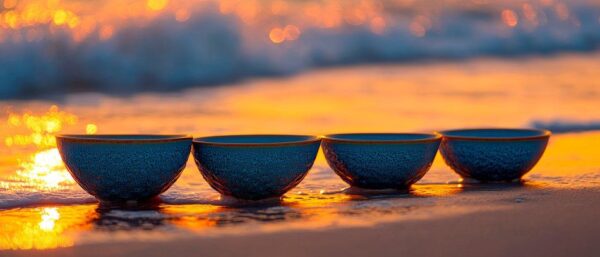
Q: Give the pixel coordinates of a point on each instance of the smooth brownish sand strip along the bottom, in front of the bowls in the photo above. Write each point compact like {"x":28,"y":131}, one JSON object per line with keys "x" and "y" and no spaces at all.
{"x":555,"y":223}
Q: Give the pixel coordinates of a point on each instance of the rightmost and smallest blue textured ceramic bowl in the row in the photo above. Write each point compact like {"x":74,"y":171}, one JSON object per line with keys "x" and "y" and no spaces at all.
{"x":493,"y":154}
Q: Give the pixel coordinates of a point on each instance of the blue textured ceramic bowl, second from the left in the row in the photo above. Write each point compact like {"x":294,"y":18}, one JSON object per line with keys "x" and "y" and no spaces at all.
{"x":255,"y":167}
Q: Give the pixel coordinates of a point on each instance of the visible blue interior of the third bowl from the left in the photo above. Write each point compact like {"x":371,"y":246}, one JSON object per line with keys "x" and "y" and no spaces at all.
{"x":382,"y":137}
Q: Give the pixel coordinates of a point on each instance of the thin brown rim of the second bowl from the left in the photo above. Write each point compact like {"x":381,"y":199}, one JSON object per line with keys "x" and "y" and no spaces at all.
{"x":309,"y":140}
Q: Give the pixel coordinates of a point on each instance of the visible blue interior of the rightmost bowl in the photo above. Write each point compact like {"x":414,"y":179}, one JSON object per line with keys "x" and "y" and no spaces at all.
{"x":494,"y":133}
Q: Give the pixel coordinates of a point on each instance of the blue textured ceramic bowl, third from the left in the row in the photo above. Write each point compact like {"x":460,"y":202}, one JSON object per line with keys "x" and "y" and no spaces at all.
{"x":381,"y":161}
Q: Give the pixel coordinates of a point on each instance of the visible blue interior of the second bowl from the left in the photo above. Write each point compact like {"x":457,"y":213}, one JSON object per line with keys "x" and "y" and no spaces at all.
{"x":254,"y":139}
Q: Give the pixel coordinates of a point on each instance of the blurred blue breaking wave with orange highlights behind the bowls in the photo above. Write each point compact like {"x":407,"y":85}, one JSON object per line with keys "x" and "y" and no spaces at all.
{"x":49,"y":48}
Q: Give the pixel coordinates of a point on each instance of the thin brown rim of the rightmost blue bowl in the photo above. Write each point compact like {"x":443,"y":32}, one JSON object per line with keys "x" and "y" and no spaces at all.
{"x":542,"y":133}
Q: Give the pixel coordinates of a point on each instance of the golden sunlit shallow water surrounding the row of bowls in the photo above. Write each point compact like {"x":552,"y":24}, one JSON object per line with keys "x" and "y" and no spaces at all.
{"x":43,"y":208}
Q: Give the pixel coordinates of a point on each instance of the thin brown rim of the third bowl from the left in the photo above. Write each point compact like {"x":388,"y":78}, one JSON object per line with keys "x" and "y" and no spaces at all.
{"x":433,"y":136}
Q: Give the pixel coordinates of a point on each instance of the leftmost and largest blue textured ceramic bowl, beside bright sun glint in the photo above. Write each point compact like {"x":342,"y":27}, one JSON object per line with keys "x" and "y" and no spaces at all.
{"x":124,"y":167}
